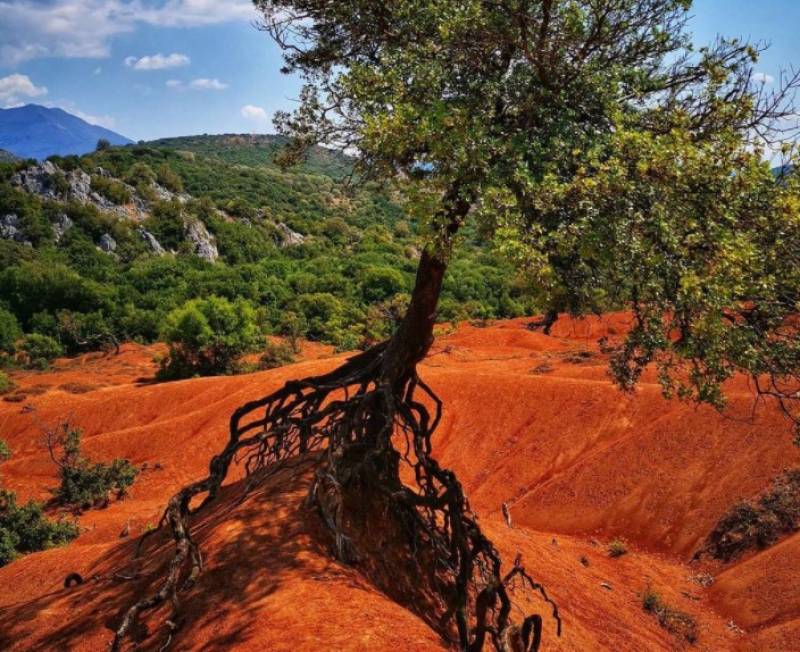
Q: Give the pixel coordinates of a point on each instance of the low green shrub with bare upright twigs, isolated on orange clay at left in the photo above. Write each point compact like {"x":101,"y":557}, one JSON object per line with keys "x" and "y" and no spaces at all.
{"x":85,"y":484}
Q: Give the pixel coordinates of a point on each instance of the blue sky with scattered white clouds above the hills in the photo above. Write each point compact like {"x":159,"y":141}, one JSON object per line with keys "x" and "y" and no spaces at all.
{"x":154,"y":68}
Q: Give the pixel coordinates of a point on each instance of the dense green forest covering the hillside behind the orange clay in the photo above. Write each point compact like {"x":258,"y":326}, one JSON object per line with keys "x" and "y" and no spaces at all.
{"x":343,"y":284}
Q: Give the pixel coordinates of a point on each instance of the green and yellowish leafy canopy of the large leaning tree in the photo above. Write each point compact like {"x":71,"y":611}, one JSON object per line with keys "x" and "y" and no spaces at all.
{"x":616,"y":162}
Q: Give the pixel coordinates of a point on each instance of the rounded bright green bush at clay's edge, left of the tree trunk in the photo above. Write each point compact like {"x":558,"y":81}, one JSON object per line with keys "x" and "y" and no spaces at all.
{"x":207,"y":337}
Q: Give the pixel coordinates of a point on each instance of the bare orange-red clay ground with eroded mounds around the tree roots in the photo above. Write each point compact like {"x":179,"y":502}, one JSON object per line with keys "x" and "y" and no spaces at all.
{"x":531,"y":421}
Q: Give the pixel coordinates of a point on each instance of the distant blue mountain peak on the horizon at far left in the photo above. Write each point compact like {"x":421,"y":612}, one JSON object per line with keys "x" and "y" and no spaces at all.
{"x":34,"y":131}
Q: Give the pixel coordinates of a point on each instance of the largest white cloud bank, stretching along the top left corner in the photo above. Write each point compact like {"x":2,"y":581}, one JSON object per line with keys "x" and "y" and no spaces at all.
{"x":84,"y":28}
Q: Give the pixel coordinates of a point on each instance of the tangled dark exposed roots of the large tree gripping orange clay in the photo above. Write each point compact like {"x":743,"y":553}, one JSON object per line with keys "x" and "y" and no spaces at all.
{"x":362,"y":431}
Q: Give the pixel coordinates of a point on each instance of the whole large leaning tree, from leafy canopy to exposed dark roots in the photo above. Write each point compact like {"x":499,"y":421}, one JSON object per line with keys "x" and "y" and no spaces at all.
{"x":614,"y":162}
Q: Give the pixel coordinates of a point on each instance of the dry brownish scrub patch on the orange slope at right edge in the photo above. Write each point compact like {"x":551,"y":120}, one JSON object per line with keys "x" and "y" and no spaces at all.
{"x":758,"y":523}
